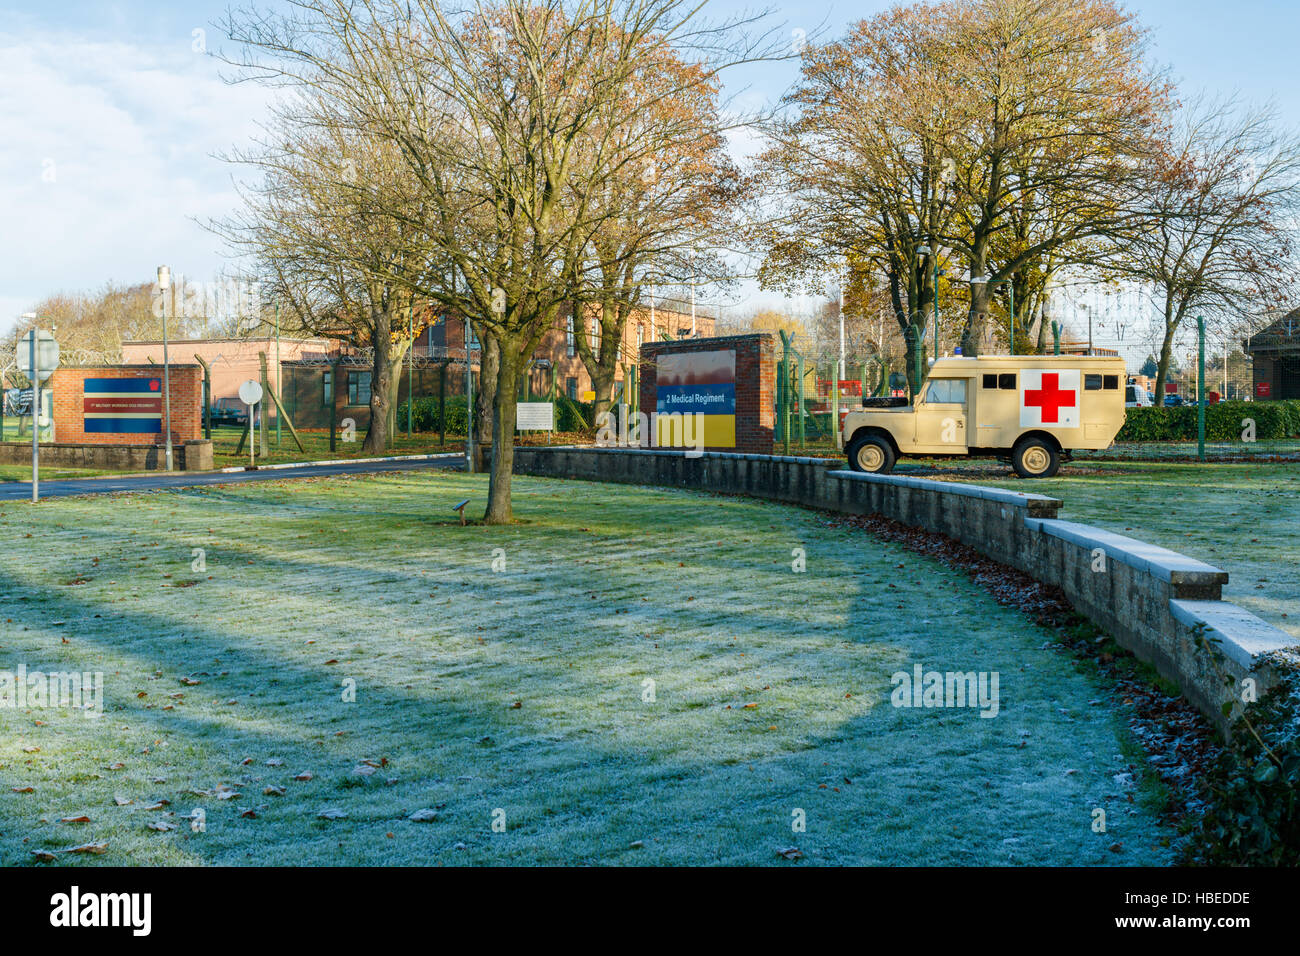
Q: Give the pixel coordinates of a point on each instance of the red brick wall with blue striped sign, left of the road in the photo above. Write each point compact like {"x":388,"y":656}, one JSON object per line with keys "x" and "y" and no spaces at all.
{"x":120,"y":403}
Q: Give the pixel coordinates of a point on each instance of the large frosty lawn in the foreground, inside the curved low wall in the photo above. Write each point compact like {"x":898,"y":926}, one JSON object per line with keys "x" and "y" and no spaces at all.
{"x":523,"y":690}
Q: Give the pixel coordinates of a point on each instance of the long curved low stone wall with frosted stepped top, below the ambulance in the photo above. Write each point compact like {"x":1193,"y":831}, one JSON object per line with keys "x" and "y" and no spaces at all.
{"x":1163,"y":607}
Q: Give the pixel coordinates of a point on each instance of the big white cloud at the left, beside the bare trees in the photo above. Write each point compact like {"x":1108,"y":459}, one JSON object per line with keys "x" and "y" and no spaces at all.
{"x":110,"y":158}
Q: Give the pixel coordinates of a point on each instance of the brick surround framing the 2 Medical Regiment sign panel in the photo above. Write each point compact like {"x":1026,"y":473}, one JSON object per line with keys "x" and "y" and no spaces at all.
{"x":756,"y":384}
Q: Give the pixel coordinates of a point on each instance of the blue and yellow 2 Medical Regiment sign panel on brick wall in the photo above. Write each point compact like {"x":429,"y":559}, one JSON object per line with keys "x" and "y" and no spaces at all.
{"x":691,"y":384}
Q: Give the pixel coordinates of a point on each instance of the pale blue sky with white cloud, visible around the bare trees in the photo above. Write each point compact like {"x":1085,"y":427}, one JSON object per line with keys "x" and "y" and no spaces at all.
{"x":115,"y":116}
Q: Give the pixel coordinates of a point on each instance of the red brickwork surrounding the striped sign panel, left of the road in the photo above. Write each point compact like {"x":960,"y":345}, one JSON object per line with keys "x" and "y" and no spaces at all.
{"x":70,"y":404}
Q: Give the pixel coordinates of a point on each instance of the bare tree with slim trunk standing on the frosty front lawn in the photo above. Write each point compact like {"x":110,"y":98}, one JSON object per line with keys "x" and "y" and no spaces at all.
{"x":502,"y":116}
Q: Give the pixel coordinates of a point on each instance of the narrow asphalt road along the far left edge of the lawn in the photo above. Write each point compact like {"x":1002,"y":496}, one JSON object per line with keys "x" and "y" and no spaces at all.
{"x":21,"y":491}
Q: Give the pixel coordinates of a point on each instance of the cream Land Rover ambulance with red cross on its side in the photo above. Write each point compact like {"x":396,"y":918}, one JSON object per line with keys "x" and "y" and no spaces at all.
{"x":1030,"y":409}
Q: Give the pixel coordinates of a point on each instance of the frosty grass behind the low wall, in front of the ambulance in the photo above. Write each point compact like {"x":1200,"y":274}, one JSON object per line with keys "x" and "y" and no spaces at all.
{"x":1241,"y":517}
